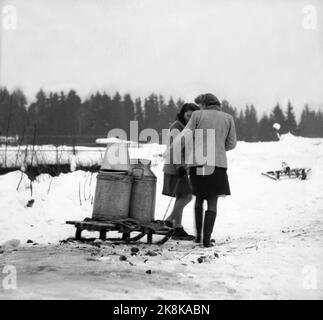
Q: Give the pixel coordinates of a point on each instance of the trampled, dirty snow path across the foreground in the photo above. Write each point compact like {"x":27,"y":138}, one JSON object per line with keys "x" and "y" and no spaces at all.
{"x":273,"y":270}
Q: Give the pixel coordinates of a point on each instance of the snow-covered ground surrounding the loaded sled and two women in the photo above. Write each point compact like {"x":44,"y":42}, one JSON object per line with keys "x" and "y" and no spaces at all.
{"x":269,"y":235}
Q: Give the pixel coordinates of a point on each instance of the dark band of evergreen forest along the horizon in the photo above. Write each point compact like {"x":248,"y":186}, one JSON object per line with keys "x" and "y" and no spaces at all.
{"x":63,"y":118}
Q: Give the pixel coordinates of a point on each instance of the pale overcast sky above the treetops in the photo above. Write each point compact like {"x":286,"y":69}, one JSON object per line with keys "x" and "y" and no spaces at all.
{"x":247,"y":51}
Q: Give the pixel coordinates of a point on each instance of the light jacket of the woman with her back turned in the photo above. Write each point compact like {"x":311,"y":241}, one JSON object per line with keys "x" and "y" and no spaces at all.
{"x":217,"y":135}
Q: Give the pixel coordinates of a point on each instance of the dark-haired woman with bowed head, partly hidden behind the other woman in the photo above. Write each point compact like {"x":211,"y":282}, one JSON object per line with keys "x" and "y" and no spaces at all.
{"x":176,"y":182}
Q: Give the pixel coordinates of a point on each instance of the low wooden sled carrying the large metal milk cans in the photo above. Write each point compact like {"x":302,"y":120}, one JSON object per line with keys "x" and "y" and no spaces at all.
{"x":126,"y":227}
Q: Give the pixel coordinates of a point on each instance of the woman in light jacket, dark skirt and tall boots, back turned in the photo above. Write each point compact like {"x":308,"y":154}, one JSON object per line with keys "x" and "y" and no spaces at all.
{"x":208,"y":175}
